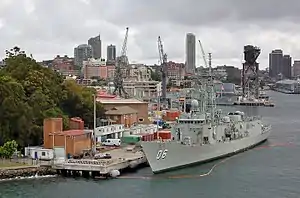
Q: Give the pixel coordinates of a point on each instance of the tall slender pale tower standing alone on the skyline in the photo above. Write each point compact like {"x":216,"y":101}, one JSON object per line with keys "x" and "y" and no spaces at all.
{"x":190,"y":61}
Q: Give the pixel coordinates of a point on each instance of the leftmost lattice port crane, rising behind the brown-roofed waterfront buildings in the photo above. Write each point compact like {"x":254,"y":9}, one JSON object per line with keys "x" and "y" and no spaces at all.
{"x":121,"y":63}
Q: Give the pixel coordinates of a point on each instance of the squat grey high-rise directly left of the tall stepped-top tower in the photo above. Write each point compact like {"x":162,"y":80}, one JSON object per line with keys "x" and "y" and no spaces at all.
{"x":82,"y":53}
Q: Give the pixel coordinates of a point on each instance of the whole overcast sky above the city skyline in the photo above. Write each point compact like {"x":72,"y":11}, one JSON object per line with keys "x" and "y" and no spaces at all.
{"x":46,"y":28}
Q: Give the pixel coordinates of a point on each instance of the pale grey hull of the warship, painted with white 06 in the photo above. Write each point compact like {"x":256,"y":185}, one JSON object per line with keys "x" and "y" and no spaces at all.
{"x":178,"y":155}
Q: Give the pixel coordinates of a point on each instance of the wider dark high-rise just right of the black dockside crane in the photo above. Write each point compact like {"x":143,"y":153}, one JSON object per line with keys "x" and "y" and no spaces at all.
{"x":275,"y":63}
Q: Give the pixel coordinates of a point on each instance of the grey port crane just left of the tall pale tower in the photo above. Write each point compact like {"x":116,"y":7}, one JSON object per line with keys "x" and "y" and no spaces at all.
{"x":163,"y":59}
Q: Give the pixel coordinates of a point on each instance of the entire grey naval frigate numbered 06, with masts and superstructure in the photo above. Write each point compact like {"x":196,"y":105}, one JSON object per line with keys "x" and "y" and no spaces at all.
{"x":204,"y":134}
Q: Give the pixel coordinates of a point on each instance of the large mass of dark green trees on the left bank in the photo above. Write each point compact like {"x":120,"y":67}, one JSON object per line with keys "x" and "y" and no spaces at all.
{"x":29,"y":93}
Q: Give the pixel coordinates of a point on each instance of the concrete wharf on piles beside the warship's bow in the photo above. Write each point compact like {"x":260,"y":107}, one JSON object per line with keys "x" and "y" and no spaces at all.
{"x":121,"y":159}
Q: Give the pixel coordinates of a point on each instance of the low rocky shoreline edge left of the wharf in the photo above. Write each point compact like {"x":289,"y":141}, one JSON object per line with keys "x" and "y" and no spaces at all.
{"x":9,"y":173}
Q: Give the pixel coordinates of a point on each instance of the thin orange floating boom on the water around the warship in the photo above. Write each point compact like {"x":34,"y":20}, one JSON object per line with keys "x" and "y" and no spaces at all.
{"x":207,"y":173}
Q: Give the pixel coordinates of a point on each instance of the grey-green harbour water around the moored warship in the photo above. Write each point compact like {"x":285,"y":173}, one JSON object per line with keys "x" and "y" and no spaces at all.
{"x":272,"y":170}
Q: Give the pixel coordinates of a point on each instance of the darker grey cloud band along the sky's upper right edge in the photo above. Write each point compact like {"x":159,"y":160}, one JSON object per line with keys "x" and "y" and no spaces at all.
{"x":191,"y":12}
